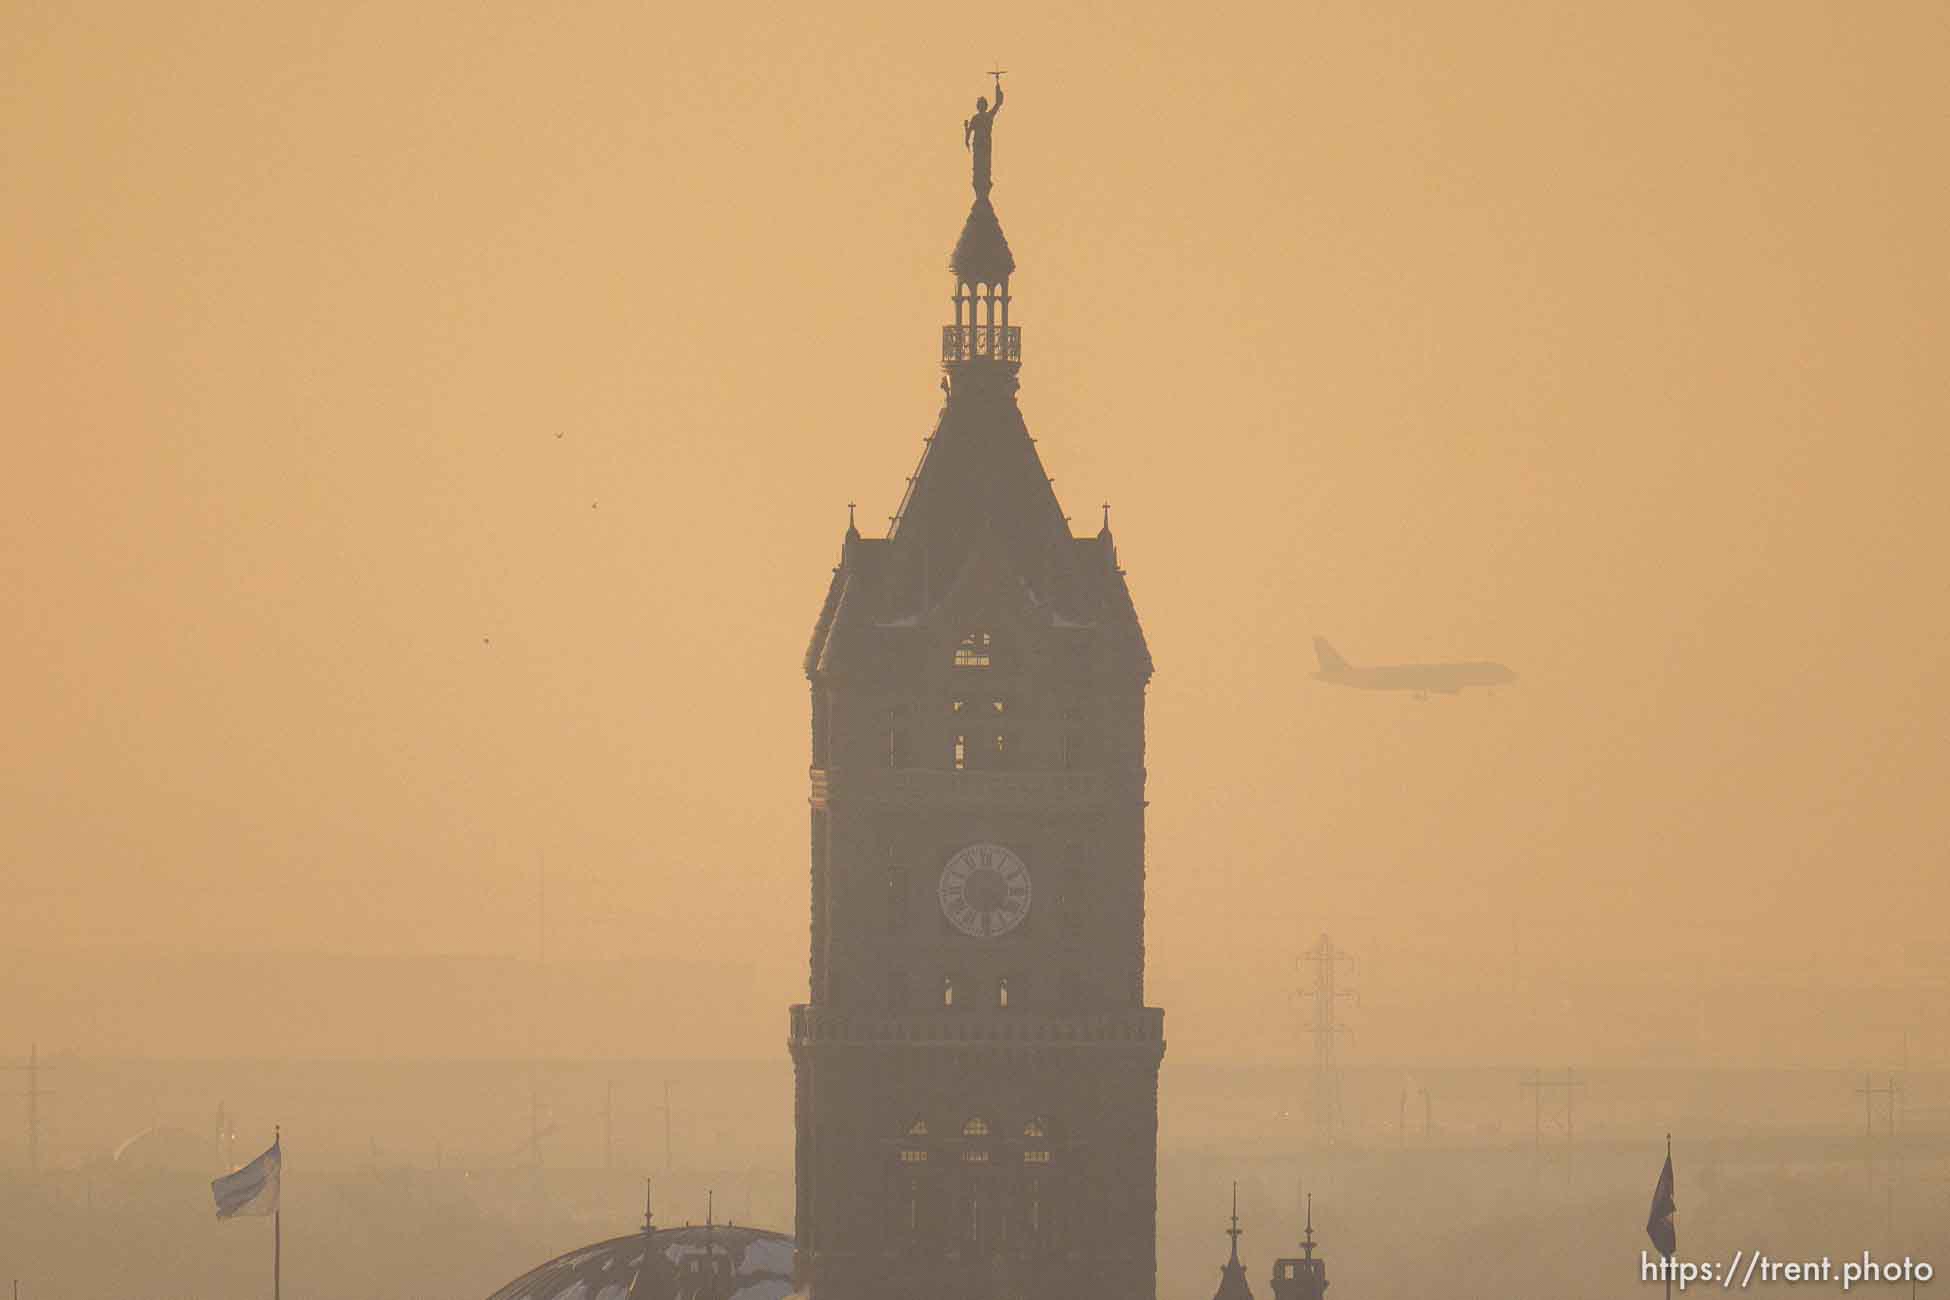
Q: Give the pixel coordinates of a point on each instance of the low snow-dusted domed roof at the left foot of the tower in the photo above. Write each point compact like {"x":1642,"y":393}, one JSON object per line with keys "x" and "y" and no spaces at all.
{"x":761,"y":1266}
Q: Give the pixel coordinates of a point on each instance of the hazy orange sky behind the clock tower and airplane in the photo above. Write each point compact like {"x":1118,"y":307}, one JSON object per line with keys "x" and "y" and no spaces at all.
{"x":432,"y":430}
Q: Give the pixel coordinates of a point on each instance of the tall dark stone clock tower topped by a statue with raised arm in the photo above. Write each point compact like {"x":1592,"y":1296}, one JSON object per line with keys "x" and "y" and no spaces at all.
{"x":976,"y":1067}
